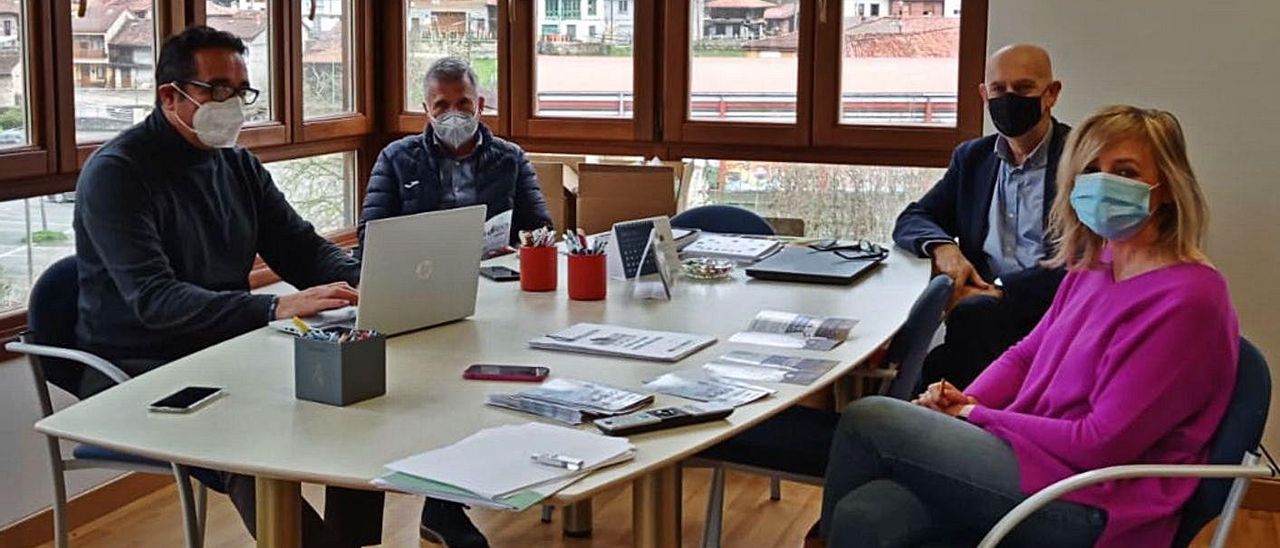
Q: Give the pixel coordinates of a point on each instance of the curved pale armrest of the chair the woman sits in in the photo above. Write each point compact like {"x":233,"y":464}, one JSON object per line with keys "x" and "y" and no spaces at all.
{"x":1116,"y":473}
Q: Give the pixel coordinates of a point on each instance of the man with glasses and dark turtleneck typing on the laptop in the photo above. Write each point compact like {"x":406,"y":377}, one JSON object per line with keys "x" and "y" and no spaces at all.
{"x":170,"y":218}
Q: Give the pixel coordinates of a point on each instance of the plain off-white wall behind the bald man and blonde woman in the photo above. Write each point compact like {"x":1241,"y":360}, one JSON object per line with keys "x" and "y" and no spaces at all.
{"x":1213,"y":65}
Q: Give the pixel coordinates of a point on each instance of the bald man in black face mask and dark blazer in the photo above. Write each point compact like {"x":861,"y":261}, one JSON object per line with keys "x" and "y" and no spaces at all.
{"x":984,"y":225}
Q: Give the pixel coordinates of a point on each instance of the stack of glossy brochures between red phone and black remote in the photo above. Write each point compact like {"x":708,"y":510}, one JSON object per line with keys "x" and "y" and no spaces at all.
{"x":573,"y":401}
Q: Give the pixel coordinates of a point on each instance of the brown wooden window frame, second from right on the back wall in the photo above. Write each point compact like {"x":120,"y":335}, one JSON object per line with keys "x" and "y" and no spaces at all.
{"x":683,"y":130}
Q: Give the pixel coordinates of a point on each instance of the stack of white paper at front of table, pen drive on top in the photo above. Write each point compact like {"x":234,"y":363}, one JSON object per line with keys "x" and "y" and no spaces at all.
{"x":493,"y":468}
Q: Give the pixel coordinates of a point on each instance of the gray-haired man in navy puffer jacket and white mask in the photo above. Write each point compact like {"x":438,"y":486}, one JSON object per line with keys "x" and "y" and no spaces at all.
{"x":456,"y":162}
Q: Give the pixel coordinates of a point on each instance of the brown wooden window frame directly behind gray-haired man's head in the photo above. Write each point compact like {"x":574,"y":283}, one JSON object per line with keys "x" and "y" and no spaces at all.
{"x":399,"y":118}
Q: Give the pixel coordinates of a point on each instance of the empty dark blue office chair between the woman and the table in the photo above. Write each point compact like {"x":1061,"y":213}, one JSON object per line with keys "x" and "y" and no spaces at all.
{"x":796,"y":444}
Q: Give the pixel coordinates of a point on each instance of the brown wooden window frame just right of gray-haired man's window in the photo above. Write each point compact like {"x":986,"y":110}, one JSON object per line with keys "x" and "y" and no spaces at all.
{"x":525,"y":124}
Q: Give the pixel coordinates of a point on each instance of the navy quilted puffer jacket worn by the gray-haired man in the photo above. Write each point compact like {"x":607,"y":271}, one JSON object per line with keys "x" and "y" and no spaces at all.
{"x":505,"y":181}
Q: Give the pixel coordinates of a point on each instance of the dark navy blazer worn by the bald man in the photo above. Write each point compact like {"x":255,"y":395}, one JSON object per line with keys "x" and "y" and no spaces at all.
{"x":958,"y":208}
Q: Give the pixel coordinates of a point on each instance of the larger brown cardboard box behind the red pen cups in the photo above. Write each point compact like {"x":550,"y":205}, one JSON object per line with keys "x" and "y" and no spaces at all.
{"x":610,"y":194}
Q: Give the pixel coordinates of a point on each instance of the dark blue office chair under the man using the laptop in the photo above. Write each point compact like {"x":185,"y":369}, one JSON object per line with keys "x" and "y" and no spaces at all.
{"x":49,"y":345}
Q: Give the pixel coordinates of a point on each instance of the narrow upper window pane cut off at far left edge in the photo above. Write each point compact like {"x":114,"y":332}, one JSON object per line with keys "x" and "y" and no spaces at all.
{"x":13,"y":77}
